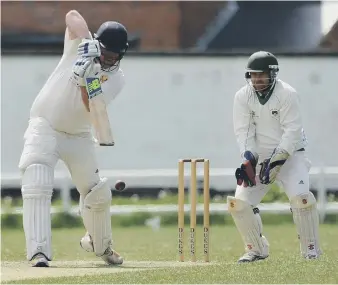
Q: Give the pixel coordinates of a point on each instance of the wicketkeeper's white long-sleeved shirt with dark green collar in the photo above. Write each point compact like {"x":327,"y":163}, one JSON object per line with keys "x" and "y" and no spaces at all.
{"x":262,"y":128}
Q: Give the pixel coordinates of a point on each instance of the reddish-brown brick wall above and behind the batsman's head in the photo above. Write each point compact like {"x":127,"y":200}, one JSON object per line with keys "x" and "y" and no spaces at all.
{"x":161,"y":31}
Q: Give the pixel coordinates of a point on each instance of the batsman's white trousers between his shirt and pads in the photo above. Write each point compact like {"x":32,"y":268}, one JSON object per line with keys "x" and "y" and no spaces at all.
{"x":44,"y":145}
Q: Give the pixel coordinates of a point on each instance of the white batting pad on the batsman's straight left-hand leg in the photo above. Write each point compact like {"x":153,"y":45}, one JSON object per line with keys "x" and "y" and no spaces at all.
{"x":37,"y":190}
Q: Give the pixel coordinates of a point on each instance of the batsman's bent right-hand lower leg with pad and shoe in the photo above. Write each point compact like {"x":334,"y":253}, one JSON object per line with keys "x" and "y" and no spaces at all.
{"x":95,"y":212}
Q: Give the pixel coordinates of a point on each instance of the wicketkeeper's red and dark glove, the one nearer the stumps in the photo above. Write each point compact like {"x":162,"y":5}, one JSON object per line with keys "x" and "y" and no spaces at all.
{"x":246,"y":174}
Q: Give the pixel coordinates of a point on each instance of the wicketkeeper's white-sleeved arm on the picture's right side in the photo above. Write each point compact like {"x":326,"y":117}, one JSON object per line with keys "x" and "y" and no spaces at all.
{"x":291,"y":122}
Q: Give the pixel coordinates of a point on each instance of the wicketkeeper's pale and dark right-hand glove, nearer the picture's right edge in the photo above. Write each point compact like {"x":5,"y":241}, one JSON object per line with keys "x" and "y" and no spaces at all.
{"x":271,"y":167}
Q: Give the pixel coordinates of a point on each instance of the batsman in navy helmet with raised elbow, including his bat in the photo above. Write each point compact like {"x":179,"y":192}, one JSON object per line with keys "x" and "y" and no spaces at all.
{"x":60,"y":128}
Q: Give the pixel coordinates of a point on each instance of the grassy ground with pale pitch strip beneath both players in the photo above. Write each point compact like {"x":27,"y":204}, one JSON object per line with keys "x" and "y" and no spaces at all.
{"x":139,"y":244}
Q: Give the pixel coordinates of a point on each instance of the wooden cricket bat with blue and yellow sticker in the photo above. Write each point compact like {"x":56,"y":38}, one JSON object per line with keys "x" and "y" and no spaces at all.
{"x":98,"y":109}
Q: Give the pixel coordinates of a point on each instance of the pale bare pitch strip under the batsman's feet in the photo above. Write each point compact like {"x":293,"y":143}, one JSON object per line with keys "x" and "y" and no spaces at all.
{"x":11,"y":271}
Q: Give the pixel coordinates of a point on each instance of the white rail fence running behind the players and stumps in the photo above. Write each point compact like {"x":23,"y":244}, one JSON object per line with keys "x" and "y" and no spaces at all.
{"x":321,"y":179}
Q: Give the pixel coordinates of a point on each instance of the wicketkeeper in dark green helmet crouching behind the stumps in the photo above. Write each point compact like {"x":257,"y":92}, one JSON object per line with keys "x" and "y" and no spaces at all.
{"x":268,"y":128}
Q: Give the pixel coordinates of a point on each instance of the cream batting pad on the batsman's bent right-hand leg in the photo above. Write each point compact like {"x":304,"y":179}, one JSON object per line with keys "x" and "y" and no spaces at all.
{"x":96,"y":216}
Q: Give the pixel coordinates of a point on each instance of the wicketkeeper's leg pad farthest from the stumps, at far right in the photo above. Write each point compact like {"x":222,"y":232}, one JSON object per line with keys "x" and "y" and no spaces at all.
{"x":305,"y":216}
